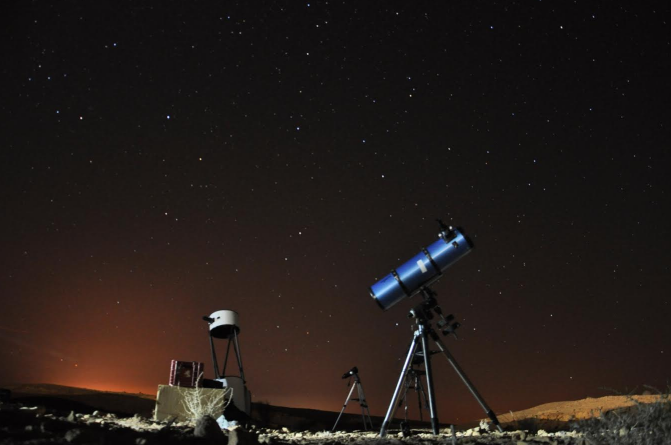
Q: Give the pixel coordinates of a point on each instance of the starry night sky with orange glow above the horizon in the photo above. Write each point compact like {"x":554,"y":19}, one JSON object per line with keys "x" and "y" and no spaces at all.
{"x":164,"y":160}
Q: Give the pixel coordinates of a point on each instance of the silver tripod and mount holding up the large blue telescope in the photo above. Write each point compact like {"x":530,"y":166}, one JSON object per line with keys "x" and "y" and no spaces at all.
{"x":422,"y":313}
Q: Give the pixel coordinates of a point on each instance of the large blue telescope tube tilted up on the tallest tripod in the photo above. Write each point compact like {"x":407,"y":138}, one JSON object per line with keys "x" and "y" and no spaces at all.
{"x":422,"y":269}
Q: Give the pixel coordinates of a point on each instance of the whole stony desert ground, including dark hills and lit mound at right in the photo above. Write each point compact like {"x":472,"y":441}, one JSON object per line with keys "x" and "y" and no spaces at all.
{"x":49,"y":414}
